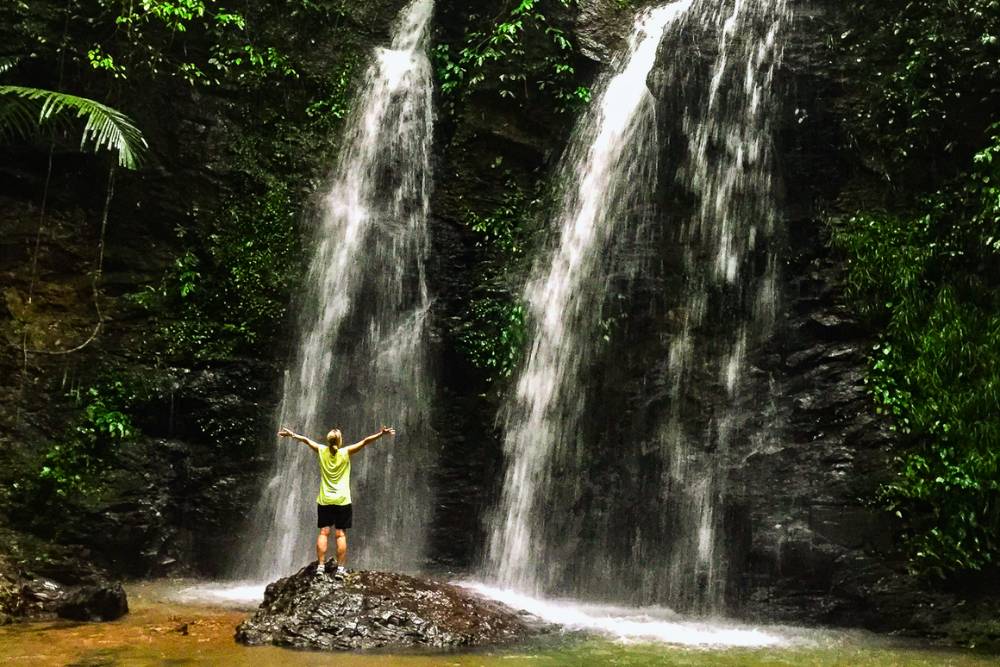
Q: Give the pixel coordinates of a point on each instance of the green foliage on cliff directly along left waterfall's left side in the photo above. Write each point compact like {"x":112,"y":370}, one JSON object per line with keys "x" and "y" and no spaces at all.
{"x":227,"y":292}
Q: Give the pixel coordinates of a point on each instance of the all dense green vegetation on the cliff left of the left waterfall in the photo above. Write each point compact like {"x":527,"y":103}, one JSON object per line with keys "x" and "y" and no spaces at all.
{"x":272,"y":105}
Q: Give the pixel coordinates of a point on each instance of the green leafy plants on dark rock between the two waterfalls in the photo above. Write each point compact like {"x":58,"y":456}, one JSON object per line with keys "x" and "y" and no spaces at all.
{"x":515,"y":54}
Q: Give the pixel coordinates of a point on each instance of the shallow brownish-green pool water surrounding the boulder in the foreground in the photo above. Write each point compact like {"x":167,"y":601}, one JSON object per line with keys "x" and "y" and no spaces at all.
{"x":164,"y":629}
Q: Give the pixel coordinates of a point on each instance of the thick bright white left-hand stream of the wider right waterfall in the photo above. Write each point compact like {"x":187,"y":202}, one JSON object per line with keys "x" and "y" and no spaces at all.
{"x":608,"y":174}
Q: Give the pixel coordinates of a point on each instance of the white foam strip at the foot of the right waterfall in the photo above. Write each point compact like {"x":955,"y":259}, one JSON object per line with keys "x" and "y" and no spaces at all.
{"x":636,"y":624}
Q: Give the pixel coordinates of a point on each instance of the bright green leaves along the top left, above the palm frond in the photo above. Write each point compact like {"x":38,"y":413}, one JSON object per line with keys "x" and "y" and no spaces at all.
{"x":203,"y":42}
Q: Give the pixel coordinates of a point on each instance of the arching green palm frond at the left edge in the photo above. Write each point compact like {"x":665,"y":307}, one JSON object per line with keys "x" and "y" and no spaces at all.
{"x":105,"y":127}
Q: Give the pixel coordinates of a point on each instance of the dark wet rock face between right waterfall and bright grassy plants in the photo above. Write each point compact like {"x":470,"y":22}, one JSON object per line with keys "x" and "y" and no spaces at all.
{"x":801,"y":528}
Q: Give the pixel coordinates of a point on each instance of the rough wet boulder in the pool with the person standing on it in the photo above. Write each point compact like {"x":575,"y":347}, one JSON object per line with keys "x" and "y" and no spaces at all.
{"x":369,"y":610}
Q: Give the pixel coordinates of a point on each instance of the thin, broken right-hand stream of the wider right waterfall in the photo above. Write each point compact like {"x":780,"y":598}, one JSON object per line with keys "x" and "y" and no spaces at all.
{"x":729,"y":296}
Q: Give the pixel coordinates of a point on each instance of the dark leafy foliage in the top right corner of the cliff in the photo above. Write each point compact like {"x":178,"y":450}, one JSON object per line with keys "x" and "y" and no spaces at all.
{"x":929,"y":71}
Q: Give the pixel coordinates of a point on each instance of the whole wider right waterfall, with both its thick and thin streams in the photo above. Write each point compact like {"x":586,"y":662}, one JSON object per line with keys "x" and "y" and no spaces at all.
{"x":630,"y":506}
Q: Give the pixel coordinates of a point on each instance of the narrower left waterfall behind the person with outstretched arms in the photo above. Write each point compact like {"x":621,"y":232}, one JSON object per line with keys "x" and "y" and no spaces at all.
{"x":361,"y":357}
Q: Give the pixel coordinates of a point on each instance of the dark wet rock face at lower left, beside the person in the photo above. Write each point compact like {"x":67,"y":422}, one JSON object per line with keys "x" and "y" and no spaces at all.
{"x":176,"y":499}
